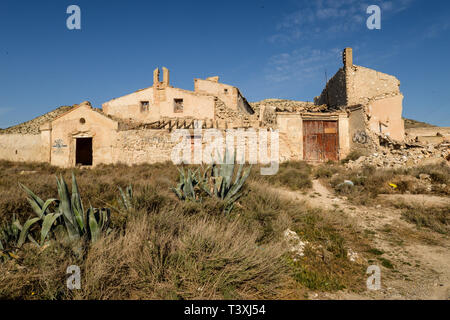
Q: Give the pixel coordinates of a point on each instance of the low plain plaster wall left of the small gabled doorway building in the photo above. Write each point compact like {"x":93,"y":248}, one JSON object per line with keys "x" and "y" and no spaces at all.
{"x":21,"y":147}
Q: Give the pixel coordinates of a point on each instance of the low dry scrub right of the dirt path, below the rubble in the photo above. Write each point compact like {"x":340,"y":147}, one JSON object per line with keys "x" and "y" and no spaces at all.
{"x":370,"y":182}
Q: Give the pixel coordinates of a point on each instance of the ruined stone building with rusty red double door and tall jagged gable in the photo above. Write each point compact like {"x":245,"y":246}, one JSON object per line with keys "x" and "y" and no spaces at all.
{"x":357,"y":105}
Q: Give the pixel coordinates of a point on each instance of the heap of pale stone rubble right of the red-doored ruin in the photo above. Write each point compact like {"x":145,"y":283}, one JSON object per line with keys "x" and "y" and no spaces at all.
{"x":391,"y":154}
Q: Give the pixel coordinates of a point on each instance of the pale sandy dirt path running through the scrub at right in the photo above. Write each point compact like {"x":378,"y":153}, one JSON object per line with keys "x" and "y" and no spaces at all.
{"x":421,"y":258}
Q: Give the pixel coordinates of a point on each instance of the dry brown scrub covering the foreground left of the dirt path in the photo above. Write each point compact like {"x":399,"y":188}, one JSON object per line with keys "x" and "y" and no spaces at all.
{"x":165,"y":248}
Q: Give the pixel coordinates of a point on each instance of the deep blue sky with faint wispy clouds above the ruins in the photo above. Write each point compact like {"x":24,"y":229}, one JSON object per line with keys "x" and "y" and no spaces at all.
{"x":269,"y":49}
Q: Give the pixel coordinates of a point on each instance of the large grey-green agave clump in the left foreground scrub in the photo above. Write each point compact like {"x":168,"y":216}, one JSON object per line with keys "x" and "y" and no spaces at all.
{"x":70,"y":216}
